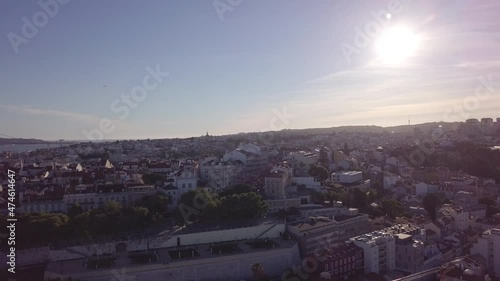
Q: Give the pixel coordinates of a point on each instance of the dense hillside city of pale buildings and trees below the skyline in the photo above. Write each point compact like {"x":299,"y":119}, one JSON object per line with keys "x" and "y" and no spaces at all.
{"x":281,"y":205}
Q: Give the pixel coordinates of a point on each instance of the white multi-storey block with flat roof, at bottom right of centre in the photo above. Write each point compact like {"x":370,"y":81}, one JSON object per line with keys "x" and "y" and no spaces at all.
{"x":379,"y":251}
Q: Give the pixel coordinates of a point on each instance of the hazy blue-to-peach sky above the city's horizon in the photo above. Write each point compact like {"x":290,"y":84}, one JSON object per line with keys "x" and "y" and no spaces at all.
{"x":229,"y":66}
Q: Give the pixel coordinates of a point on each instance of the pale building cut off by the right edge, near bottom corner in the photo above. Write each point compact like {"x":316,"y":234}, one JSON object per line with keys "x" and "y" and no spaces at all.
{"x":488,"y":246}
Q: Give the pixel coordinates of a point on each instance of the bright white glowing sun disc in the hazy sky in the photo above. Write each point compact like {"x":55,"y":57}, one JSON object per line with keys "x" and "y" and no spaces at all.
{"x":395,"y":45}
